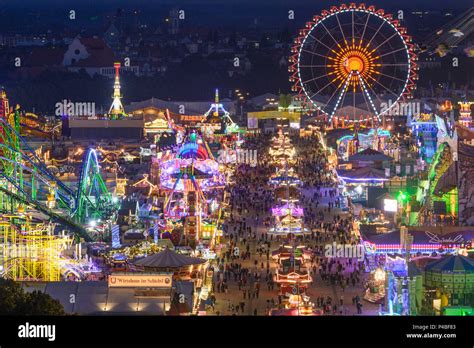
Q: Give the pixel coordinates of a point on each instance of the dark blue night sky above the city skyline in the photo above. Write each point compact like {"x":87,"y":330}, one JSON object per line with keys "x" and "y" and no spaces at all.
{"x":235,"y":13}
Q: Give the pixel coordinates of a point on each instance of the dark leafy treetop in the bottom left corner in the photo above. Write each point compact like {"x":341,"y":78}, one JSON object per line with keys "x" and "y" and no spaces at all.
{"x":15,"y":301}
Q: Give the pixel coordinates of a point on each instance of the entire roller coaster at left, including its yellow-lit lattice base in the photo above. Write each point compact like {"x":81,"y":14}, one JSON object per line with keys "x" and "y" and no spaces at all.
{"x":33,"y":201}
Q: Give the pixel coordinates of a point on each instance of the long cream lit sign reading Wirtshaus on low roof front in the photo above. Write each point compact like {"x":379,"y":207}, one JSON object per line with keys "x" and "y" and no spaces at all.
{"x":140,"y":281}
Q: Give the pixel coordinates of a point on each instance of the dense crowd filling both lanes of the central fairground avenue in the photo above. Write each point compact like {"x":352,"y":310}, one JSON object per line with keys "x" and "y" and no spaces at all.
{"x":245,"y":262}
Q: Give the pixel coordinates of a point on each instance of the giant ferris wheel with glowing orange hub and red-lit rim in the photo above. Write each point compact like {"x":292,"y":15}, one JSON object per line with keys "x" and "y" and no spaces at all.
{"x":353,"y":58}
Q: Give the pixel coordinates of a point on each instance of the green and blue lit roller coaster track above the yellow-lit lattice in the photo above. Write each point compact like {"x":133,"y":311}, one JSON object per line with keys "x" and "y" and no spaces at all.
{"x":25,"y":181}
